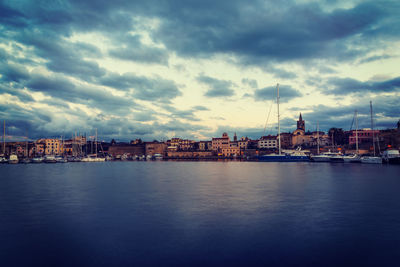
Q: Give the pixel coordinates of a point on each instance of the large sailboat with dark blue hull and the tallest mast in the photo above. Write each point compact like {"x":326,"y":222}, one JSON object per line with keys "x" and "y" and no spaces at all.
{"x":295,"y":156}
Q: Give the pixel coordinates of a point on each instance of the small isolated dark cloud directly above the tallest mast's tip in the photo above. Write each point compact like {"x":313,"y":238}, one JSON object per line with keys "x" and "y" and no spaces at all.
{"x":286,"y":93}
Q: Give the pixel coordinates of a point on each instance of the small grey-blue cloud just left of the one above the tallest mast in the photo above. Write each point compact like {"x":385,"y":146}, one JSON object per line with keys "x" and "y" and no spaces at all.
{"x":217,"y":88}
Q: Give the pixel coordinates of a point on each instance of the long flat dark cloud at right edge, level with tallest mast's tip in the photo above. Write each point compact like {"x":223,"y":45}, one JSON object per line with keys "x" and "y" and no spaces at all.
{"x":344,"y":86}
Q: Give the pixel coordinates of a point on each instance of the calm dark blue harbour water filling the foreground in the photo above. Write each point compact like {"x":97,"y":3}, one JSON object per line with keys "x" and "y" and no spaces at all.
{"x":199,"y":213}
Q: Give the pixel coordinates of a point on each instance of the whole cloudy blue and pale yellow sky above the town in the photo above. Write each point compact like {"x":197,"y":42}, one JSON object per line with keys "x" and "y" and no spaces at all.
{"x":195,"y":69}
